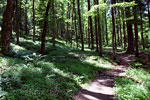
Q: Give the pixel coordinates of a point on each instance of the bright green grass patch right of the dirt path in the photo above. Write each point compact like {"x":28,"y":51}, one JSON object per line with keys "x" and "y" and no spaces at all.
{"x":128,"y":89}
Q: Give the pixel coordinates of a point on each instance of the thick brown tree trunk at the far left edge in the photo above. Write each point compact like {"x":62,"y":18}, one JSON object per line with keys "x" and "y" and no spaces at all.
{"x":7,"y":26}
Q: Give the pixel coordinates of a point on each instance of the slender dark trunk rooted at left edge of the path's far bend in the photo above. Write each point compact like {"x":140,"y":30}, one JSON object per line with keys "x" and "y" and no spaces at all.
{"x":113,"y":33}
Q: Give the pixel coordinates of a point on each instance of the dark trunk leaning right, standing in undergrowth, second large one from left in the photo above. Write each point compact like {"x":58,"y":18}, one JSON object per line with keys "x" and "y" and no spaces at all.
{"x":45,"y":29}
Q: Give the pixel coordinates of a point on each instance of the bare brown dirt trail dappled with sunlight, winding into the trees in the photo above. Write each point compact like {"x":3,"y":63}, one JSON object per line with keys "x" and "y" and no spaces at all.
{"x":102,"y":87}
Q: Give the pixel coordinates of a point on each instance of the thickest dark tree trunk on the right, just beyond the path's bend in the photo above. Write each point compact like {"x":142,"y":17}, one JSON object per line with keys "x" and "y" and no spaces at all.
{"x":130,"y":48}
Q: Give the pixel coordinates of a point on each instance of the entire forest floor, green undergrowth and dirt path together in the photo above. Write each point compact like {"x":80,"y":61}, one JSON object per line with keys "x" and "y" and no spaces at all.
{"x":64,"y":71}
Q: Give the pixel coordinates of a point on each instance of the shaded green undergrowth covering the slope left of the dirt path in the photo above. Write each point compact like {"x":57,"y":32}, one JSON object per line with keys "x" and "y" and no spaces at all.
{"x":26,"y":75}
